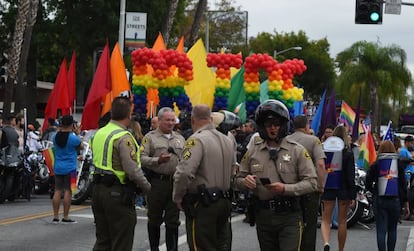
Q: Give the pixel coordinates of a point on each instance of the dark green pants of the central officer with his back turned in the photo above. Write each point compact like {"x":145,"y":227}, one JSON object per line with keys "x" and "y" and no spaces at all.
{"x":210,"y":228}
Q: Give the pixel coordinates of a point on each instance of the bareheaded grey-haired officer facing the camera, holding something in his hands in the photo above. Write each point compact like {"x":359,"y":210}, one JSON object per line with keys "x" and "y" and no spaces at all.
{"x":159,"y":155}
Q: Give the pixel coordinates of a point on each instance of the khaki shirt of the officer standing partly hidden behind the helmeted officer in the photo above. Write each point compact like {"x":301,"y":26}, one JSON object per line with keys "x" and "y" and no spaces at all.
{"x":312,"y":144}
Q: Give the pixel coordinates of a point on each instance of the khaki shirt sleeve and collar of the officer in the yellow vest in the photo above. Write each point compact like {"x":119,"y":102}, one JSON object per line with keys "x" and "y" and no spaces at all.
{"x":124,"y":157}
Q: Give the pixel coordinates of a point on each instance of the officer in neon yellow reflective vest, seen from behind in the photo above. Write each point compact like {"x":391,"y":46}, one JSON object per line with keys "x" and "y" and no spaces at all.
{"x":118,"y":173}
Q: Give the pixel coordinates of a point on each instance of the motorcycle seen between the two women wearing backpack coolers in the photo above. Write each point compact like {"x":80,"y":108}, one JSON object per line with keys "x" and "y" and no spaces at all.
{"x":361,"y":210}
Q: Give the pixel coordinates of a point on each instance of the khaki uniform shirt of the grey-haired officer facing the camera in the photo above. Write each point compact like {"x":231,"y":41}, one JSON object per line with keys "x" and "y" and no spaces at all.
{"x":153,"y":144}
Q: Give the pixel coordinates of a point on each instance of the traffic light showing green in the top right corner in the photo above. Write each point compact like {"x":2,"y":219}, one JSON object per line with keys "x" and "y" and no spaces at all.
{"x":368,"y":11}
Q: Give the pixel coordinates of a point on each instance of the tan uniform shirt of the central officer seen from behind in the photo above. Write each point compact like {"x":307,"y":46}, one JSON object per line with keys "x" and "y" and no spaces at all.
{"x":207,"y":159}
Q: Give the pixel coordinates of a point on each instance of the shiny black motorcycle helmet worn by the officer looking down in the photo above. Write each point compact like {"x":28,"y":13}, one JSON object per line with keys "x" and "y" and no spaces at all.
{"x":272,"y":108}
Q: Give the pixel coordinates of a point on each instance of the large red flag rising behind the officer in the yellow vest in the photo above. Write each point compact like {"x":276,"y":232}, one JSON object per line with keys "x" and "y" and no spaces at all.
{"x":101,"y":85}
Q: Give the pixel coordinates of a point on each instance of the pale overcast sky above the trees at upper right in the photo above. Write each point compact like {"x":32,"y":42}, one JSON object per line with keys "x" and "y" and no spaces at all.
{"x":333,"y":19}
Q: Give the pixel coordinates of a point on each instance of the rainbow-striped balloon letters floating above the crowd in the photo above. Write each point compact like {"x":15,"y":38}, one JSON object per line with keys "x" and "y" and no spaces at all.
{"x":168,"y":71}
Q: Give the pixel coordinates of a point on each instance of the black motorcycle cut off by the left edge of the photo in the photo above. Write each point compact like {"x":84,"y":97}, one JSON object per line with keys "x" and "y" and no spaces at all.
{"x":15,"y":179}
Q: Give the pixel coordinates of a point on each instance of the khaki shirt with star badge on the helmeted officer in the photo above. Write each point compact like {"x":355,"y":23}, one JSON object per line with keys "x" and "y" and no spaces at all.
{"x":293,"y":167}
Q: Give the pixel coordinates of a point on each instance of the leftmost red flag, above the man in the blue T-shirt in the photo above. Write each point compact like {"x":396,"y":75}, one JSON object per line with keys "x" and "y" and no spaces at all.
{"x":58,"y":99}
